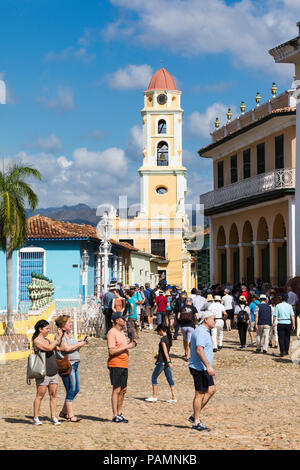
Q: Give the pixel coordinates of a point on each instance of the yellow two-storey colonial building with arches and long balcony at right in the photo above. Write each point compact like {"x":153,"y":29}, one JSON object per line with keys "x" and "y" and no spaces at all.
{"x":251,"y":209}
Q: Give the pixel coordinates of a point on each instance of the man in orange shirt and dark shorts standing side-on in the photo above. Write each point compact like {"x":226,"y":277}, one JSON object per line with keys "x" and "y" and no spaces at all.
{"x":117,"y":364}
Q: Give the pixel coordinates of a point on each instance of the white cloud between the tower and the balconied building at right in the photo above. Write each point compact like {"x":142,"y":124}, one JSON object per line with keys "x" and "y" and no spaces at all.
{"x":202,"y":124}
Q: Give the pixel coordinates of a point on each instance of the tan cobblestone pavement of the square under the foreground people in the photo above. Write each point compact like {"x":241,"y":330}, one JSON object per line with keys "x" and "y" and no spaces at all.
{"x":255,"y":406}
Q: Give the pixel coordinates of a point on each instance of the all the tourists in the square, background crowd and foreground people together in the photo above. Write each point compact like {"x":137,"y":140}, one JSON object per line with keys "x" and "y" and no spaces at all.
{"x":261,"y":313}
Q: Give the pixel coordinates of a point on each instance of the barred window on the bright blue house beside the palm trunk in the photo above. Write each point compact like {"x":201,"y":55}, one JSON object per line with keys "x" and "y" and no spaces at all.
{"x":29,"y":261}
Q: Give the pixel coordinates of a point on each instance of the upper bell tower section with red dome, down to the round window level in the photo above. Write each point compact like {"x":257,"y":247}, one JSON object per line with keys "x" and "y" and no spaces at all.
{"x":163,"y":178}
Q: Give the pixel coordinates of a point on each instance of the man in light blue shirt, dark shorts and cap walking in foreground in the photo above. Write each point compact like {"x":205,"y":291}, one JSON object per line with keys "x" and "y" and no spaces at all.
{"x":200,"y":365}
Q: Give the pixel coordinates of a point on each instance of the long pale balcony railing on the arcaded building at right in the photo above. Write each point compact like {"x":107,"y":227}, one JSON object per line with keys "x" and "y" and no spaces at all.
{"x":264,"y":183}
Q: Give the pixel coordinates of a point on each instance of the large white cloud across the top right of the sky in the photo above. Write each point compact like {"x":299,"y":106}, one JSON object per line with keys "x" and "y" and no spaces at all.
{"x":244,"y":29}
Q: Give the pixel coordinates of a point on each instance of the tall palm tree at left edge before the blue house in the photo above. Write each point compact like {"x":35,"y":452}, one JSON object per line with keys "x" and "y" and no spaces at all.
{"x":14,"y":194}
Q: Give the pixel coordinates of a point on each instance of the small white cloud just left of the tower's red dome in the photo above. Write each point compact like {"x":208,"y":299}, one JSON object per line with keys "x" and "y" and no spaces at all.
{"x":131,"y":77}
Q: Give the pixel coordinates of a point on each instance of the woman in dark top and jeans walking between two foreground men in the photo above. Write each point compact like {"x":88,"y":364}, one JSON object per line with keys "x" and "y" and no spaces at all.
{"x":163,"y":363}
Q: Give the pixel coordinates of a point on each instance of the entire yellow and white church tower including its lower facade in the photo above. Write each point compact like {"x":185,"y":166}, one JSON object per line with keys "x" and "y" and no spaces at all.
{"x":162,"y":221}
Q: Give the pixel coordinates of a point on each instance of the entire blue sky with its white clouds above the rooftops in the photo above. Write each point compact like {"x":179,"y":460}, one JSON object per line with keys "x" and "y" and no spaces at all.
{"x":75,"y":72}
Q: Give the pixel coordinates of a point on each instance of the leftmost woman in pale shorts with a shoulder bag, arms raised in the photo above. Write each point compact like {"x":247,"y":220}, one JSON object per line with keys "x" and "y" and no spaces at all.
{"x":50,"y":381}
